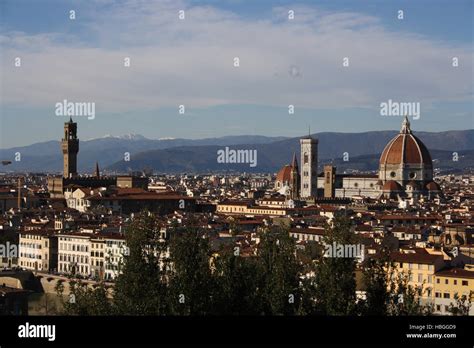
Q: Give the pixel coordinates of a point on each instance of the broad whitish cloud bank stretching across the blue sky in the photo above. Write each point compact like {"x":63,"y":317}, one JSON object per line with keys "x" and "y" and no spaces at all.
{"x":191,"y":62}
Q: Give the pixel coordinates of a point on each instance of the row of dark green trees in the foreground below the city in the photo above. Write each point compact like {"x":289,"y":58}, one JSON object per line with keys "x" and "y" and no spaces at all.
{"x":181,"y":275}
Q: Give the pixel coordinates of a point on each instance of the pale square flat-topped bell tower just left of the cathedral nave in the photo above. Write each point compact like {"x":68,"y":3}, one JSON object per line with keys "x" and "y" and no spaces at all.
{"x":309,"y":167}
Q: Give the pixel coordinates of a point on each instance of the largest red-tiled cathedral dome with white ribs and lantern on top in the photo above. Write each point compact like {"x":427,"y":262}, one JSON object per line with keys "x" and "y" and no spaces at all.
{"x":405,"y":148}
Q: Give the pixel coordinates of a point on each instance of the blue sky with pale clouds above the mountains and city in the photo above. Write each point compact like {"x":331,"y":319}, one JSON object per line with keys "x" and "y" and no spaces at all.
{"x":190,"y":62}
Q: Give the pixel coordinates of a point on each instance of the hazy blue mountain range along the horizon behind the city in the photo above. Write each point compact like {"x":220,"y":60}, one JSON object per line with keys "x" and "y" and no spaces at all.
{"x":193,"y":156}
